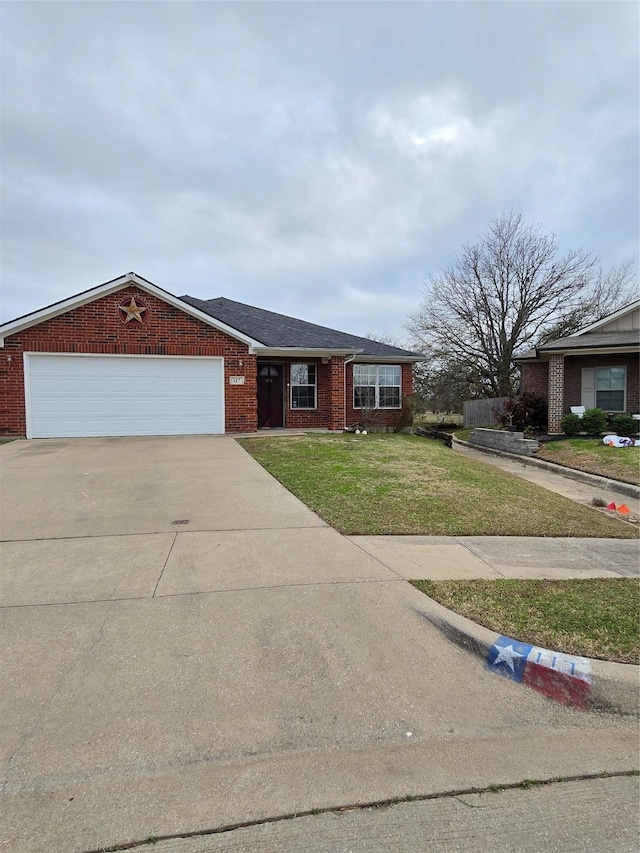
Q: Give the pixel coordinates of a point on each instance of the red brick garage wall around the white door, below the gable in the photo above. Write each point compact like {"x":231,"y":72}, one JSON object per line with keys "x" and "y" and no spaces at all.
{"x":97,"y":328}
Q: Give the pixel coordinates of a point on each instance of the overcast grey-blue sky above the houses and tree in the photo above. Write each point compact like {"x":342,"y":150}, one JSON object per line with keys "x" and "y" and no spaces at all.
{"x":316,"y":159}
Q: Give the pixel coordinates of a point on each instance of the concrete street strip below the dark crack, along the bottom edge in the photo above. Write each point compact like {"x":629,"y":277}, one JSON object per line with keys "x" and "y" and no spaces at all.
{"x":575,"y":816}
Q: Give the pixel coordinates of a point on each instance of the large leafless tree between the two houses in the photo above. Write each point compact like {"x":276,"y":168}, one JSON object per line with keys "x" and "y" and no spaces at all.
{"x":500,"y":296}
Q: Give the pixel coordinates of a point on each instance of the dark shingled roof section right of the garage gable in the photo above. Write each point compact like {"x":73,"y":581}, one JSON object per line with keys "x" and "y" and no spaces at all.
{"x":278,"y":331}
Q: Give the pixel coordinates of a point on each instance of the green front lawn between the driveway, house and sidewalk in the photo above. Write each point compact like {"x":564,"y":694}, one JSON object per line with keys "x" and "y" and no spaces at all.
{"x":403,"y":484}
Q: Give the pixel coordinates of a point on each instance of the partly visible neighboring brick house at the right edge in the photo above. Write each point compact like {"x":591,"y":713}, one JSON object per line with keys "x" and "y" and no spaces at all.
{"x":596,"y":367}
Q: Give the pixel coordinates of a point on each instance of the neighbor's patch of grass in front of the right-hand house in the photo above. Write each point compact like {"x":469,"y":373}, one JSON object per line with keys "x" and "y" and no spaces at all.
{"x":594,"y":457}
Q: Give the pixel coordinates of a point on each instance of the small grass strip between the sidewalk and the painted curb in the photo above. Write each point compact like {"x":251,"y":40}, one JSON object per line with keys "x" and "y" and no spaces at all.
{"x":596,"y":618}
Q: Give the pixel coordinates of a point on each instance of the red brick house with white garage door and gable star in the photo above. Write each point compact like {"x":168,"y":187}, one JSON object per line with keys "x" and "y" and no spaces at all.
{"x":128,"y":358}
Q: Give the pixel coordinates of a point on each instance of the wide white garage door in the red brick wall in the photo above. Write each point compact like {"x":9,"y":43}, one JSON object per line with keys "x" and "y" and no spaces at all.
{"x":69,"y":395}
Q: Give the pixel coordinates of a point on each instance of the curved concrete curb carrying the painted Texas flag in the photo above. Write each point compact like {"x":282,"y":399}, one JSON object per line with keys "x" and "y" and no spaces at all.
{"x":597,"y":685}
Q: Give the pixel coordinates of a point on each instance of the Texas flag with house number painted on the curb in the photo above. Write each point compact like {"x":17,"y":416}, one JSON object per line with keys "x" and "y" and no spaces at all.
{"x":565,"y":678}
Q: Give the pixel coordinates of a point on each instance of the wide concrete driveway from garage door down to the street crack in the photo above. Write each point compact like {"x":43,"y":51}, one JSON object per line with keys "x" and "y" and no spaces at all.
{"x":186,"y":646}
